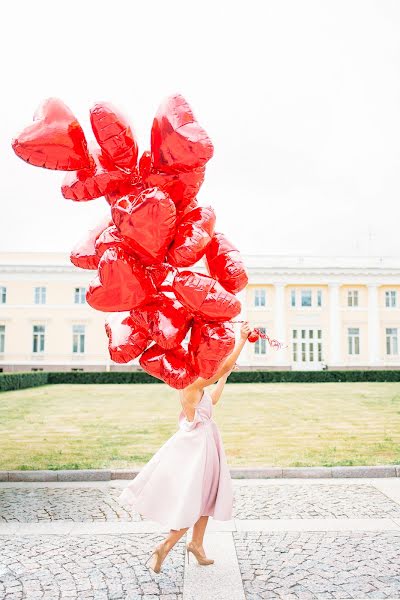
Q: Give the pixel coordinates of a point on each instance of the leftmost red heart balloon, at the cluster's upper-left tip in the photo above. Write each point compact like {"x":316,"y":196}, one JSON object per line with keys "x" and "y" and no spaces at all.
{"x":55,"y":140}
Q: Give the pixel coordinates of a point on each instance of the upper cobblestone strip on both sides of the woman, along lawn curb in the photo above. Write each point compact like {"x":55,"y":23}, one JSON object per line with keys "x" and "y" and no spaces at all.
{"x":281,"y":501}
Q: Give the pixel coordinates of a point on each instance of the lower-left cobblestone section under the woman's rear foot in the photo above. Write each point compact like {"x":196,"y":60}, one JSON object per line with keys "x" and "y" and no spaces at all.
{"x":101,"y":567}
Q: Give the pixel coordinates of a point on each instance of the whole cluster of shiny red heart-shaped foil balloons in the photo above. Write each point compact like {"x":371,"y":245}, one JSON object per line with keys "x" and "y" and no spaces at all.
{"x":154,"y":232}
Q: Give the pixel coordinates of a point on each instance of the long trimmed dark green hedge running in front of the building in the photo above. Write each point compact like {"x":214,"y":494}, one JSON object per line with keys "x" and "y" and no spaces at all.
{"x":17,"y":381}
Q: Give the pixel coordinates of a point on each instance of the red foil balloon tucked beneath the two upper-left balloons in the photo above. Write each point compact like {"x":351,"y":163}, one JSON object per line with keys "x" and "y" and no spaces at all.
{"x":100,"y":179}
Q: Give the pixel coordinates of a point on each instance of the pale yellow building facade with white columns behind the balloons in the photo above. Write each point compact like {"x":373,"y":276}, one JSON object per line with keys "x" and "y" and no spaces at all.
{"x":329,"y":312}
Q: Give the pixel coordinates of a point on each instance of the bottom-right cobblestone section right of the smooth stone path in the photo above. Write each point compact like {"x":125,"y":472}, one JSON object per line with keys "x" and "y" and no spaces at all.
{"x":319,"y":565}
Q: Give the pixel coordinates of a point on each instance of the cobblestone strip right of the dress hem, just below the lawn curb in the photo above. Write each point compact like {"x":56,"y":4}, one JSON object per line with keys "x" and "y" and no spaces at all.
{"x":313,"y":501}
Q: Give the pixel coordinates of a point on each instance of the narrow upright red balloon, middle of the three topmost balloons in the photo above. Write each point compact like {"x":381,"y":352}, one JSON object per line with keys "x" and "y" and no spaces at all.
{"x":114,"y":135}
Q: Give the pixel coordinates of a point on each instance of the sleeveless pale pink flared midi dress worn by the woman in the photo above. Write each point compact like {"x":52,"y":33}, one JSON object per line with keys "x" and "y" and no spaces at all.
{"x":187,"y":477}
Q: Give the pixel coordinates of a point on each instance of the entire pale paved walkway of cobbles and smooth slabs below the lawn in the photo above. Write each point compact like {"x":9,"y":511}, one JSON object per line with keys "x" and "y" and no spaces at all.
{"x":289,"y":539}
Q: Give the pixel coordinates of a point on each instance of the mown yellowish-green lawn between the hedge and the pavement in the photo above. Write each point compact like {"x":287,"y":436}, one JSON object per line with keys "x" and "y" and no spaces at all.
{"x":278,"y":424}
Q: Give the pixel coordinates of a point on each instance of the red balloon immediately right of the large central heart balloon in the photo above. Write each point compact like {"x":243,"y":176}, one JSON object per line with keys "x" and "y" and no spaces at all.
{"x":193,"y":234}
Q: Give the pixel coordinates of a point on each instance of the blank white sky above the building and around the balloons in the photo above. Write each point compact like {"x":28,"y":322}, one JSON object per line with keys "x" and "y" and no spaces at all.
{"x":300,"y":98}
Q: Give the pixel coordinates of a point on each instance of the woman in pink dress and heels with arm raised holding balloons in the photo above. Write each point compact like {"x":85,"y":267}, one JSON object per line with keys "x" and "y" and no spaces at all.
{"x":188,"y":480}
